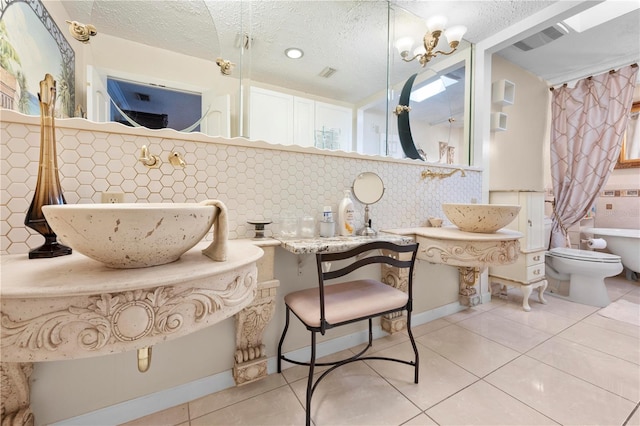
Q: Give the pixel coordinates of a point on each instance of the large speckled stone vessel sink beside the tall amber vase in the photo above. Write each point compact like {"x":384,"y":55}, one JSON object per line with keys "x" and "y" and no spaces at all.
{"x":131,"y":235}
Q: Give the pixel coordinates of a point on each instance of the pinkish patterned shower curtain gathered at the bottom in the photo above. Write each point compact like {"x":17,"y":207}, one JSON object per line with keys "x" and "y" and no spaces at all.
{"x":588,"y":123}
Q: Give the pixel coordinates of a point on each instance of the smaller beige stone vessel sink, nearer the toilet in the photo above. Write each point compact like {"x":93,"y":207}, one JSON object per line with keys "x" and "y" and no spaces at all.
{"x":480,"y":218}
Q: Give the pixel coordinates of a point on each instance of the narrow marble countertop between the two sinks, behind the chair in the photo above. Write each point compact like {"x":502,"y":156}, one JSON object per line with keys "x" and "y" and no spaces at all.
{"x":335,"y":244}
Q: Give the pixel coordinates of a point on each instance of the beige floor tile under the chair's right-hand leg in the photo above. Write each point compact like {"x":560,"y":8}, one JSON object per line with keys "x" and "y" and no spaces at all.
{"x":438,"y":377}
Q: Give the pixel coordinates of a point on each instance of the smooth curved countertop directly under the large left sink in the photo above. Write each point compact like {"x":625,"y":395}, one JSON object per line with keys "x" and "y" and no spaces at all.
{"x":77,"y":274}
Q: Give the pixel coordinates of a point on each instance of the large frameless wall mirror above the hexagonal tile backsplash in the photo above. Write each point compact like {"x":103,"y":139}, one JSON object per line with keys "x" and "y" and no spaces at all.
{"x":339,"y":95}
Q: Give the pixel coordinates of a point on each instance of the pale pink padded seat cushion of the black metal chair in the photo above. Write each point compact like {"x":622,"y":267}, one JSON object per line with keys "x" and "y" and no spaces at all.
{"x":345,"y":301}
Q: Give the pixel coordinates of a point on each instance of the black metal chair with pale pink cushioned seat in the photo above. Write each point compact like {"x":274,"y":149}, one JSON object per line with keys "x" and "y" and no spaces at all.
{"x":332,"y":305}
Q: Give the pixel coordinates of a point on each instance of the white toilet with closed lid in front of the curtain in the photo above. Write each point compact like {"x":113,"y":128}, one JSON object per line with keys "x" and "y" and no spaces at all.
{"x":584,"y":269}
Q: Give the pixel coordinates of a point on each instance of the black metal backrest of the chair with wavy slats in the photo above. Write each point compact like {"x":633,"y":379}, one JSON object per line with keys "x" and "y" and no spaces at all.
{"x":390,"y":255}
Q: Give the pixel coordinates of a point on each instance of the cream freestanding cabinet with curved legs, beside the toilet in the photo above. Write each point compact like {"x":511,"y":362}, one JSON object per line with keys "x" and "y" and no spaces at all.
{"x":528,"y":271}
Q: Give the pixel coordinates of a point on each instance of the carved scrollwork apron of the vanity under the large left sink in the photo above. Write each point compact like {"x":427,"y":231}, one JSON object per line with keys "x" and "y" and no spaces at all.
{"x":123,"y":317}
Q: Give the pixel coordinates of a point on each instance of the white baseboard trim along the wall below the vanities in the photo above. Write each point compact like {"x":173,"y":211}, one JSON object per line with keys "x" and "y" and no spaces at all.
{"x":148,"y":404}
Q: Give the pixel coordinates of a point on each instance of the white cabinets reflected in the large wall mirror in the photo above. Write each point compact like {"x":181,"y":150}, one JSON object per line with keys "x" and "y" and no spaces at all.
{"x":286,"y":119}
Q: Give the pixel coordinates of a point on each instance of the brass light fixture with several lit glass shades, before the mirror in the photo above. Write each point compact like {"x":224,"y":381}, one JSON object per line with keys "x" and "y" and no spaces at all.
{"x":435,"y":27}
